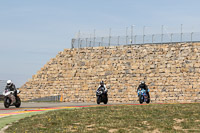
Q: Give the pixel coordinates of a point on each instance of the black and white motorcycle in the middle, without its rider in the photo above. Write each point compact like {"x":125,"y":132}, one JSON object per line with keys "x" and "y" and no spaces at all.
{"x":101,"y":97}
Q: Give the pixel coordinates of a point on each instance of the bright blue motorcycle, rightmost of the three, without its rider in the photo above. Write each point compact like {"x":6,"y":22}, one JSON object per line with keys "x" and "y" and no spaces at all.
{"x":143,"y":97}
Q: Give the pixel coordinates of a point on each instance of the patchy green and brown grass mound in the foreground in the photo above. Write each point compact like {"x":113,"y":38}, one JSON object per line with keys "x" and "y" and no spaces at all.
{"x":124,"y":118}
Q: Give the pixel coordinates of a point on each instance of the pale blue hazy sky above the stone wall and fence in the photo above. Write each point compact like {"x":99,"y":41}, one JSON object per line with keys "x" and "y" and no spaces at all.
{"x":34,"y":31}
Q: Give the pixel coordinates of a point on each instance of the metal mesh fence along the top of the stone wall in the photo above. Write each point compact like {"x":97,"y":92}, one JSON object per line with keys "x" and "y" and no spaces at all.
{"x":135,"y":39}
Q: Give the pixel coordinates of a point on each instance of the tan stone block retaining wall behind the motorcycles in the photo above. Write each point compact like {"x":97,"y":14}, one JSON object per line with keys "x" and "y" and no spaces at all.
{"x":171,"y":71}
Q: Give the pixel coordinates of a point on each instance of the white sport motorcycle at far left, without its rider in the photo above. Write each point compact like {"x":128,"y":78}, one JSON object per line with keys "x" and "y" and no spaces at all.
{"x":10,"y":99}
